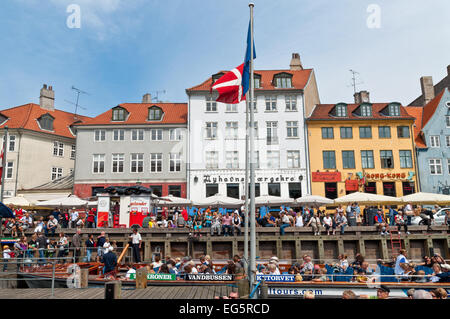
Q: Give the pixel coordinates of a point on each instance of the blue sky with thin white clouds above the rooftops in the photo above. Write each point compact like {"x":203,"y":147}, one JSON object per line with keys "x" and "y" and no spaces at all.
{"x":126,"y":48}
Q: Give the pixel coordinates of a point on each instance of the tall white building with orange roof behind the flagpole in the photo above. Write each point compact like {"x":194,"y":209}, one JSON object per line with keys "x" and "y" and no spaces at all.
{"x":217,"y":131}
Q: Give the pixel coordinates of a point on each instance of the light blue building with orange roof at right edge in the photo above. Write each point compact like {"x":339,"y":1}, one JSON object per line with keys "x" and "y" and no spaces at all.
{"x":432,"y":138}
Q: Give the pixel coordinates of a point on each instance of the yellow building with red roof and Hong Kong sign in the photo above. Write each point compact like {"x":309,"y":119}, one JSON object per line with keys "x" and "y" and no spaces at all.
{"x":365,"y":147}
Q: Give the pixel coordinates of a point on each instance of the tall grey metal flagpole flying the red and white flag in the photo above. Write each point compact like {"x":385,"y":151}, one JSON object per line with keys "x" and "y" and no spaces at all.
{"x":252,"y":272}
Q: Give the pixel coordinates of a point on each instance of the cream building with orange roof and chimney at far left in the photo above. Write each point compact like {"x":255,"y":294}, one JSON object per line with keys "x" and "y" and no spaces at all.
{"x":41,"y":144}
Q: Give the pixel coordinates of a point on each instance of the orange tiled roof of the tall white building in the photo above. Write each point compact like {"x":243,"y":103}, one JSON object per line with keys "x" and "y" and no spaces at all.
{"x":299,"y":80}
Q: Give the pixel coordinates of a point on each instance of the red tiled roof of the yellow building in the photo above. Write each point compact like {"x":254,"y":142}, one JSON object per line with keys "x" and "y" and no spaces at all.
{"x":322,"y":112}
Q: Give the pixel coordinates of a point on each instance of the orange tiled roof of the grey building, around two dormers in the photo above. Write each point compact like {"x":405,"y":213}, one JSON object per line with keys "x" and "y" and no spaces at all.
{"x":174,"y":113}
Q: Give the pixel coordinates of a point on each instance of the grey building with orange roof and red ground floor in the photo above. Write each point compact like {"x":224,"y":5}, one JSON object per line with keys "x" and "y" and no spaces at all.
{"x":133,"y":143}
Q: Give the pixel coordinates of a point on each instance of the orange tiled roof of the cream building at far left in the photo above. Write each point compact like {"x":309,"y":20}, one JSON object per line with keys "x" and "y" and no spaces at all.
{"x":25,"y":117}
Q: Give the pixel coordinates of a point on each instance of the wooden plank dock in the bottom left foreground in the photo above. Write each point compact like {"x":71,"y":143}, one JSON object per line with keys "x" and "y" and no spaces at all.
{"x":154,"y":292}
